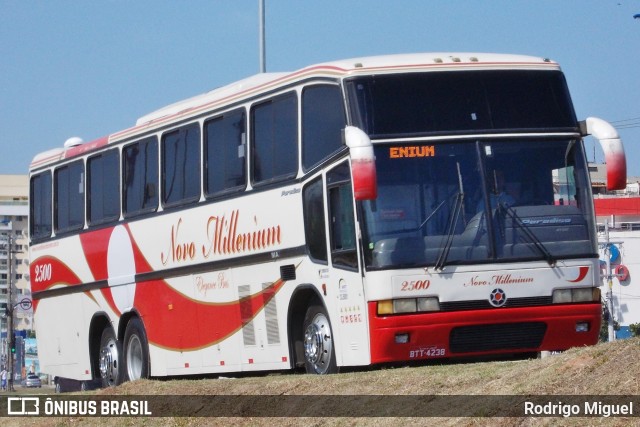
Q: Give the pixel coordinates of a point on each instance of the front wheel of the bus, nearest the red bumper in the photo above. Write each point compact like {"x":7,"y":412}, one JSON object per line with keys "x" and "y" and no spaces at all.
{"x":319,"y":353}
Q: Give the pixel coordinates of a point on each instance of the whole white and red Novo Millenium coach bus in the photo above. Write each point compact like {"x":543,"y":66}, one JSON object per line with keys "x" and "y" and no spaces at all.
{"x":381,"y":209}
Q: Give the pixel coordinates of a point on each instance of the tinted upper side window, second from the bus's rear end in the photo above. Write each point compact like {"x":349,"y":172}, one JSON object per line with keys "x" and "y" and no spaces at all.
{"x":69,"y":197}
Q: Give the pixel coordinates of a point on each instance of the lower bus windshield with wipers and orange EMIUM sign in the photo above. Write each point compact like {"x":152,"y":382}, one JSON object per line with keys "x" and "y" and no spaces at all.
{"x":471,"y":202}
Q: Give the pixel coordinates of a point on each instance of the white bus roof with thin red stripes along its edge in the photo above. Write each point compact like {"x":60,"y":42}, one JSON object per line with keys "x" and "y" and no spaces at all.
{"x":267,"y":81}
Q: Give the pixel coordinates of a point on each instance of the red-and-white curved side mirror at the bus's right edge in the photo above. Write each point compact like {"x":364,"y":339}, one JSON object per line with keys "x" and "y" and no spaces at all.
{"x":614,"y":156}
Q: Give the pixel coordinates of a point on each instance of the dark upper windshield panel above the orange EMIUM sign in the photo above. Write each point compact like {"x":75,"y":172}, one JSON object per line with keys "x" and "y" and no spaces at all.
{"x":484,"y":101}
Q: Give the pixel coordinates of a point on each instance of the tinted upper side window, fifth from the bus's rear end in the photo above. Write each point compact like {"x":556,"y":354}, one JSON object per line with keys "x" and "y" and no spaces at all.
{"x":181,"y":165}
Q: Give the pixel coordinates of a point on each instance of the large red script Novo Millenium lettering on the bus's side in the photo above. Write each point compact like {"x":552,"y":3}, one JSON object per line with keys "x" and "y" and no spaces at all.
{"x":223,"y":238}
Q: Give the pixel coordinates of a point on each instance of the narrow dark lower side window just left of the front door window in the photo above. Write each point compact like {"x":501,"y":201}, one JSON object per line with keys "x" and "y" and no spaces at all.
{"x":314,"y":224}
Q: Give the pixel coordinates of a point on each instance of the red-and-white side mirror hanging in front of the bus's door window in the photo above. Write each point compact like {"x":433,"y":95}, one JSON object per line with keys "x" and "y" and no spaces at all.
{"x":363,"y":165}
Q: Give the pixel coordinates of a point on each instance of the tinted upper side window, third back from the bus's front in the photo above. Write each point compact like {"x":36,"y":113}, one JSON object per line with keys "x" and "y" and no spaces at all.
{"x":225,"y":153}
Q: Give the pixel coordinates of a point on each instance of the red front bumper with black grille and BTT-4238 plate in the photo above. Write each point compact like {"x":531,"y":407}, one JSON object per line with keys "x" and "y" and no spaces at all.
{"x":482,"y":332}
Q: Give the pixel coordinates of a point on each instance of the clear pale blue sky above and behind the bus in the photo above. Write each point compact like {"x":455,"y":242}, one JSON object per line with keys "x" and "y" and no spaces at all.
{"x":91,"y":68}
